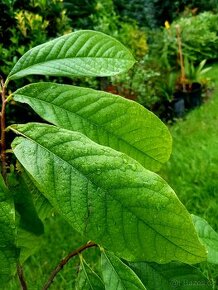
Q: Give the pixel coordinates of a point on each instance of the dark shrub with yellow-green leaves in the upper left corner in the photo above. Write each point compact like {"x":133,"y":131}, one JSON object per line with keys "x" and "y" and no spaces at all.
{"x":31,"y":23}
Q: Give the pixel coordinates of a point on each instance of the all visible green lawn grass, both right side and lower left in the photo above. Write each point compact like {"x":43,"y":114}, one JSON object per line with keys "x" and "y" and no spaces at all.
{"x":193,"y":173}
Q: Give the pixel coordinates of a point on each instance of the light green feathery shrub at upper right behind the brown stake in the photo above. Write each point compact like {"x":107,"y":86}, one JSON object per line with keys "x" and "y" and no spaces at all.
{"x":199,"y":35}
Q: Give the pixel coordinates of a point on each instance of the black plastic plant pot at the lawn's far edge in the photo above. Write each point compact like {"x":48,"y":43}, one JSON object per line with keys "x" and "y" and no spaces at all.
{"x":192,"y":95}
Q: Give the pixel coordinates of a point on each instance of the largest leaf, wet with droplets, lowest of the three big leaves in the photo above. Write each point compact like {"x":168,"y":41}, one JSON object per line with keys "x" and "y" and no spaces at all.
{"x":107,"y":196}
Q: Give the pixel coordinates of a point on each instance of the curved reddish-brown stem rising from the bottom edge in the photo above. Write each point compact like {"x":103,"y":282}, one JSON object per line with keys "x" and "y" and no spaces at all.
{"x":64,"y":261}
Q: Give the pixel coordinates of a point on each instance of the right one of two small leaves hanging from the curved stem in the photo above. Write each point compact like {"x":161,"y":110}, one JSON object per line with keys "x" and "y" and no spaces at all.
{"x":117,"y":275}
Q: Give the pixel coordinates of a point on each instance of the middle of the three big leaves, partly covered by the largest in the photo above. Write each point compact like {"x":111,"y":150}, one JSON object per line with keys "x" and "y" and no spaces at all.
{"x":105,"y":118}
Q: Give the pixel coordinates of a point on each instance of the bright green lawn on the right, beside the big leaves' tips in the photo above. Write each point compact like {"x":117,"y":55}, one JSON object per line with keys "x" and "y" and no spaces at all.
{"x":193,"y":167}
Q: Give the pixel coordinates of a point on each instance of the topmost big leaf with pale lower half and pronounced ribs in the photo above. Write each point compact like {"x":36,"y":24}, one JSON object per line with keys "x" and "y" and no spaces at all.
{"x":81,"y":53}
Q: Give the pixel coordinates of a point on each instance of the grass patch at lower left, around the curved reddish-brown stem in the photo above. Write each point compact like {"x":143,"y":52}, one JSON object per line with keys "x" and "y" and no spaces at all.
{"x":59,"y":240}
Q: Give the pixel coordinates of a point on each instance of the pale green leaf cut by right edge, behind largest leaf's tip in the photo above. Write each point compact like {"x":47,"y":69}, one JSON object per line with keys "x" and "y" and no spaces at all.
{"x":208,"y":237}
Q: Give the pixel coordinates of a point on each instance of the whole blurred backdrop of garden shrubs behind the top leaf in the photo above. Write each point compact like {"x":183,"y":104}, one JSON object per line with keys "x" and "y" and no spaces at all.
{"x":147,"y":28}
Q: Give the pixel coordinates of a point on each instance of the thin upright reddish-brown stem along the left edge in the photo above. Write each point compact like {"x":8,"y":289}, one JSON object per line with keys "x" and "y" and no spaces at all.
{"x":3,"y":141}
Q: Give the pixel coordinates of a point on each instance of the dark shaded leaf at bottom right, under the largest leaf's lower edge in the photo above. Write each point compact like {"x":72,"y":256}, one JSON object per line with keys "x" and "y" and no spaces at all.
{"x":170,"y":276}
